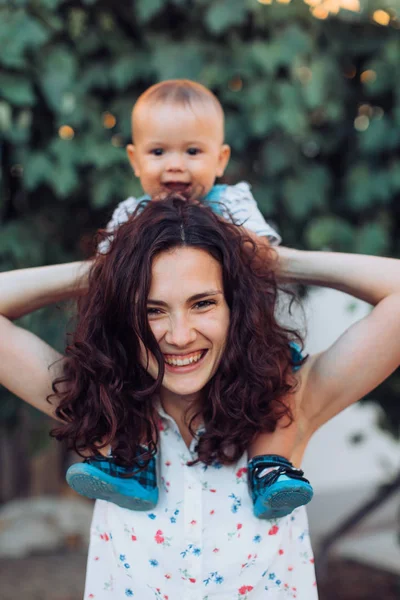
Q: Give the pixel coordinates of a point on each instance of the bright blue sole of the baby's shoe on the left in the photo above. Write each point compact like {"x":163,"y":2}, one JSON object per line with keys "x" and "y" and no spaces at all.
{"x":92,"y":486}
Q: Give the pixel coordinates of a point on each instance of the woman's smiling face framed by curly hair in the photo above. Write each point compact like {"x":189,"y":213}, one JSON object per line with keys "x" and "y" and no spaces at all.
{"x":189,"y":317}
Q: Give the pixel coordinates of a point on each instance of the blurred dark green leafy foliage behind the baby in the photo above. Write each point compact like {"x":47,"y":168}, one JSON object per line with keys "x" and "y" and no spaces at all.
{"x":291,"y":86}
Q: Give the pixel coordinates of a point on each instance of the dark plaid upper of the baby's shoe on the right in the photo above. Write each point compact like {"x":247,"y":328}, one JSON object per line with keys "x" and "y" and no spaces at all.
{"x":256,"y":465}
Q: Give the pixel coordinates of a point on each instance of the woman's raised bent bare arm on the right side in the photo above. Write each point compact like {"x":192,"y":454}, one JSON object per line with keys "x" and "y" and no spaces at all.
{"x":369,"y":351}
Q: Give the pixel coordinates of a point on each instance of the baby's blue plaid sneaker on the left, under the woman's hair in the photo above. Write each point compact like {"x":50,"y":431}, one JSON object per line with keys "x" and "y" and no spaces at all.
{"x":102,"y":479}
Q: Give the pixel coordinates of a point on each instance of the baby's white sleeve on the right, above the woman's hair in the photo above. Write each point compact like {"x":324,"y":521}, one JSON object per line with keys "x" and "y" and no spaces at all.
{"x":242,"y":207}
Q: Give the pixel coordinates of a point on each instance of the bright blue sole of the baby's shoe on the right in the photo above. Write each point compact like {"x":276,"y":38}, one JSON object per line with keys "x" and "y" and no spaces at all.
{"x":282,"y":502}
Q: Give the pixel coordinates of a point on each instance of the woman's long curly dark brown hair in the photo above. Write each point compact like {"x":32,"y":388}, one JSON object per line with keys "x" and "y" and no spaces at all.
{"x":107,"y":396}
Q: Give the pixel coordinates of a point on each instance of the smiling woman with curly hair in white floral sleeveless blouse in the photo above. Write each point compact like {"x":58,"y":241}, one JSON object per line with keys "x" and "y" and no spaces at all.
{"x":177,"y":281}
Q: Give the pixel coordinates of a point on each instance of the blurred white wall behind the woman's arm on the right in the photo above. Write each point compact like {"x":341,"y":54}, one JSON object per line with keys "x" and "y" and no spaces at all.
{"x":344,"y":474}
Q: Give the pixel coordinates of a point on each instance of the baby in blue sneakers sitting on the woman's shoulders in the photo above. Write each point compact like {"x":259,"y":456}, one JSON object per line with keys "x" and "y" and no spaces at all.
{"x":178,"y":145}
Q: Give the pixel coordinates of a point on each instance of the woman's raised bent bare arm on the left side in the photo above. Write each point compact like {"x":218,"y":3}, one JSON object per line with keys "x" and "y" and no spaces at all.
{"x":28,"y":365}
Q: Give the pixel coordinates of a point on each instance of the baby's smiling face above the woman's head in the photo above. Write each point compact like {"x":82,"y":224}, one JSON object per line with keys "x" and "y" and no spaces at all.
{"x":178,"y":148}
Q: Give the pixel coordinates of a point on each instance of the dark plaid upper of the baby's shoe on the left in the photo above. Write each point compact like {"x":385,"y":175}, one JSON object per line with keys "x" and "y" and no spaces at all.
{"x":144,"y":474}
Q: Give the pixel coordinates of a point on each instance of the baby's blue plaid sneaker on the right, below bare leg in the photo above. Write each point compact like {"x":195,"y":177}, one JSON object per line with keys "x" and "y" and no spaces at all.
{"x":282,"y":489}
